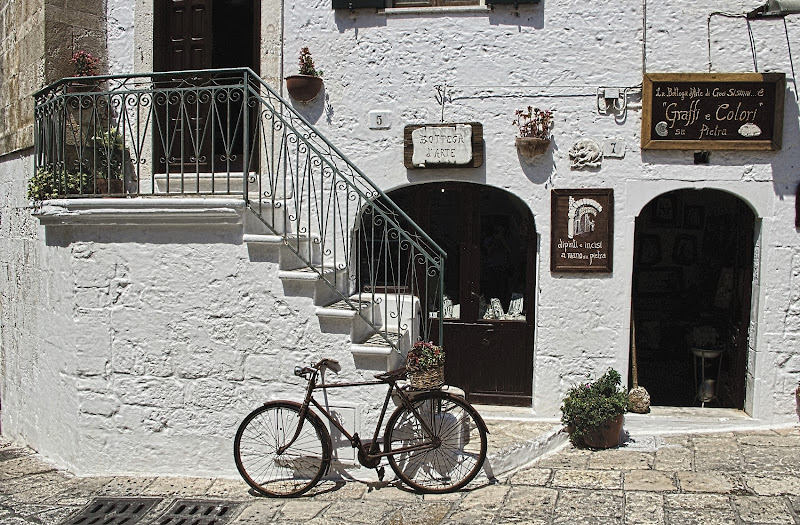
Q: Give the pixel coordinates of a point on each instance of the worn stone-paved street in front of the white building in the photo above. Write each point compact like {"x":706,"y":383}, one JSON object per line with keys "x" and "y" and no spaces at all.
{"x":725,"y":478}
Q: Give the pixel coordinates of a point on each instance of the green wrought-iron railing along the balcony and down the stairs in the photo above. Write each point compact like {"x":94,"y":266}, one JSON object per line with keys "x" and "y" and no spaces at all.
{"x":226,"y":132}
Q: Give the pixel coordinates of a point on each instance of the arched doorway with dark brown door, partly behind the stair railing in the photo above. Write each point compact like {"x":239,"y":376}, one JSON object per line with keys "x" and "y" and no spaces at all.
{"x":489,"y":236}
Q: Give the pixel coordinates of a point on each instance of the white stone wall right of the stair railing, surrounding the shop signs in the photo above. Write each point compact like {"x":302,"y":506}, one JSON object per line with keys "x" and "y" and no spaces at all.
{"x":555,"y":56}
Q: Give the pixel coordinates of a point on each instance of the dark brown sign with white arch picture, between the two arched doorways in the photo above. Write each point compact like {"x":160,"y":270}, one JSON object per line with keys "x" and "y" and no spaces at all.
{"x":582,"y":230}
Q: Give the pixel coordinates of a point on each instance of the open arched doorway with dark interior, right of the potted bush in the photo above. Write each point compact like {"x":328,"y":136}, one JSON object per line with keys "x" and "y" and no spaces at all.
{"x":692,"y":286}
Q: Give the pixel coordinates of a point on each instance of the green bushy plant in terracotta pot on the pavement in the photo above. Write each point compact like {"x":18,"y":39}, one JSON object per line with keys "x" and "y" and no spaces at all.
{"x":593,"y":412}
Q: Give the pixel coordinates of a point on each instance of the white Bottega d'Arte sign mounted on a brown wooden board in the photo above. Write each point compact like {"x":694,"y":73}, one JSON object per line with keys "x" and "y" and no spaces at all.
{"x":443,"y":145}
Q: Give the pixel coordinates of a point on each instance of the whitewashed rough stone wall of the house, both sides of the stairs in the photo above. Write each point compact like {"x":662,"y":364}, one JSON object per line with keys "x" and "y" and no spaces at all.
{"x":138,"y":348}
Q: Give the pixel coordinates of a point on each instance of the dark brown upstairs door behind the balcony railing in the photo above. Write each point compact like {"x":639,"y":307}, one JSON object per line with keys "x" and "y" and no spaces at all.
{"x":202,"y":129}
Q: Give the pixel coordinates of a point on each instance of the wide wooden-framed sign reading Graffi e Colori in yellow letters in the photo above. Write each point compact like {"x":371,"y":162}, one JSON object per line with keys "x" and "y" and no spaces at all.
{"x":712,"y":111}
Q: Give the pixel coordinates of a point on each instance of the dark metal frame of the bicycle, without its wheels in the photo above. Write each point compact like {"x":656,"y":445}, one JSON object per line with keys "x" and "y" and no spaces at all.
{"x":354,"y":438}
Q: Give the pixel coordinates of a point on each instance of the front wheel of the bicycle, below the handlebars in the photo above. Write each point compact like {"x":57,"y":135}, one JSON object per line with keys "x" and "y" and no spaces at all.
{"x":267,"y":468}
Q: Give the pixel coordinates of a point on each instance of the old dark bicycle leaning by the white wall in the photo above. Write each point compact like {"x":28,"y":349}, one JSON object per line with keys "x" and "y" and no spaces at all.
{"x":434,"y":441}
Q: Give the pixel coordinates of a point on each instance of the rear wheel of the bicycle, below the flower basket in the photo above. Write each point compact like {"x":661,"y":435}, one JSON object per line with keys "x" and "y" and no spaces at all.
{"x":456,"y":449}
